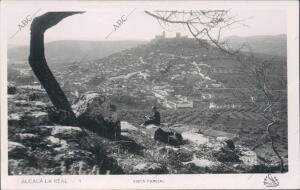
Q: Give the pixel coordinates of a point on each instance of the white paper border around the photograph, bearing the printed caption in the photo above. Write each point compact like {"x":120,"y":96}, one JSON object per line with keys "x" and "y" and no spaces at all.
{"x":191,"y":181}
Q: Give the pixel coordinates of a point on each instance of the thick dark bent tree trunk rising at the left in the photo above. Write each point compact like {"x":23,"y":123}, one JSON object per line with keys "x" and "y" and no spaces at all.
{"x":38,"y":61}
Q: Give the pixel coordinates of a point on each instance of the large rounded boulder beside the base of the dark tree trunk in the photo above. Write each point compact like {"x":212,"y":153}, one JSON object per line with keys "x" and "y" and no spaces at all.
{"x":93,"y":111}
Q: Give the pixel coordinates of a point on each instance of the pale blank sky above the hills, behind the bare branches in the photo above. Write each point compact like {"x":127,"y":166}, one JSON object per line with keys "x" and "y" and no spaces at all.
{"x":97,"y":22}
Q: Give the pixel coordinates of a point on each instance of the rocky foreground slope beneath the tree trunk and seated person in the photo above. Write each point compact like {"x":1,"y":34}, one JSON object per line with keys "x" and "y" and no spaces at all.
{"x":37,"y":145}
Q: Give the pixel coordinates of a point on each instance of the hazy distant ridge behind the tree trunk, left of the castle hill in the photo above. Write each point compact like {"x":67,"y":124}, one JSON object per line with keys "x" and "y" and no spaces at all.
{"x":75,"y":50}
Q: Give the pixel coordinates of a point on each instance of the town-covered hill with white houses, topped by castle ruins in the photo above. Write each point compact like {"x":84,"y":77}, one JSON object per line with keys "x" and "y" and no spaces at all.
{"x":172,"y":72}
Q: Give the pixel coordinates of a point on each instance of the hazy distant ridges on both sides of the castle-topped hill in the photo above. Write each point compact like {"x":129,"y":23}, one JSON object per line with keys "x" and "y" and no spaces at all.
{"x":76,"y":50}
